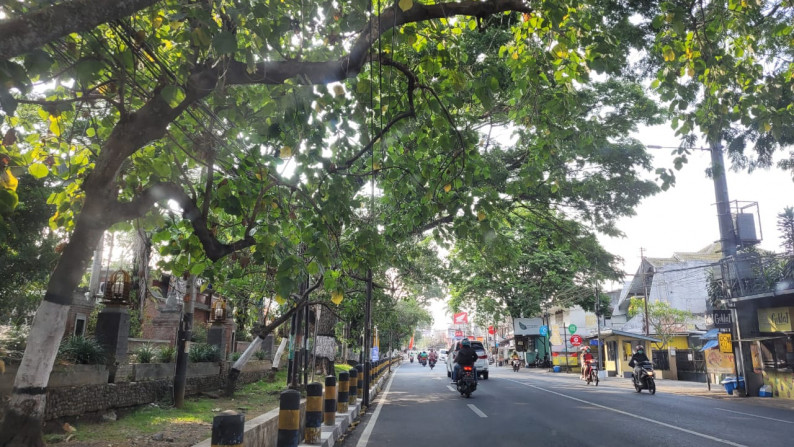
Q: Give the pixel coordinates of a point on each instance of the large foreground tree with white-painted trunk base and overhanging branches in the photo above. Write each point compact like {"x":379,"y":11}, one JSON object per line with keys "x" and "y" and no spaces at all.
{"x":262,"y":124}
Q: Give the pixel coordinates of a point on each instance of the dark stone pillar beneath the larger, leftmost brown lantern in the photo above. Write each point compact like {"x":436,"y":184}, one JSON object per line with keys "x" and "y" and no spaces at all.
{"x":112,"y":332}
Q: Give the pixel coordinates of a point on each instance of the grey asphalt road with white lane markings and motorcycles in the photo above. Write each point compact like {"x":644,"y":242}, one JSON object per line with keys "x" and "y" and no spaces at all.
{"x":419,"y":407}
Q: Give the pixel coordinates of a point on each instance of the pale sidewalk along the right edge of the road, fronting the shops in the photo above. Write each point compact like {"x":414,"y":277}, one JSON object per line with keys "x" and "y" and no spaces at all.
{"x":672,"y":387}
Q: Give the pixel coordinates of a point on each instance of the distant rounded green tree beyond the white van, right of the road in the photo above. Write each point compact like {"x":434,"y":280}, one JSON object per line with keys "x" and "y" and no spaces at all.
{"x":530,"y":264}
